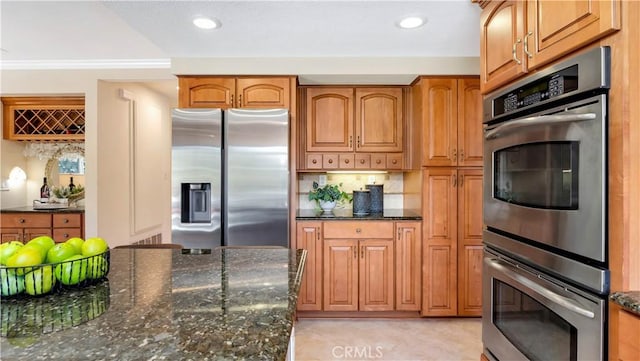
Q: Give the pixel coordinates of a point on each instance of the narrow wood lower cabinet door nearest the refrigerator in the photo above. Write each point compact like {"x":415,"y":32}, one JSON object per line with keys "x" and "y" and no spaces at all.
{"x":308,"y":237}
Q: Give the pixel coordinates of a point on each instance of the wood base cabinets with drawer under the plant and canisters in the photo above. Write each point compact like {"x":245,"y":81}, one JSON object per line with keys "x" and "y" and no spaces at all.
{"x":360,"y":265}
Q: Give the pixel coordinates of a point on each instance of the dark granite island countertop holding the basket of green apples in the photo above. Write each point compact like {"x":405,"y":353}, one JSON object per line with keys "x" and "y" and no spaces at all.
{"x":233,"y":304}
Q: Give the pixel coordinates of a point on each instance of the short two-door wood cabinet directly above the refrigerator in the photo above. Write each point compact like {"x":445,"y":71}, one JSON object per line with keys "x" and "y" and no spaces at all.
{"x":234,"y":92}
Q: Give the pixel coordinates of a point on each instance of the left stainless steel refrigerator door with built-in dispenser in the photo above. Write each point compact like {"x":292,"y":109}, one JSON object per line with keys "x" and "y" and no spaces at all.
{"x":196,"y":182}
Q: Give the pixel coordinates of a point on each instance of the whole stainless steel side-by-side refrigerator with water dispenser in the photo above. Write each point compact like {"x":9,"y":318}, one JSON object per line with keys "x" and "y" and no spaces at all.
{"x":230,"y":177}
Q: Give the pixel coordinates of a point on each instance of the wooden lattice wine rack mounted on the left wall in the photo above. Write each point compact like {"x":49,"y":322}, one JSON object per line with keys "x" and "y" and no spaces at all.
{"x":44,"y":118}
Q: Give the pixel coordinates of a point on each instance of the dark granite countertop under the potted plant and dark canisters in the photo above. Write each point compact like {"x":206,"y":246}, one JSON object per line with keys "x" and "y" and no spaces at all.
{"x":347,"y":214}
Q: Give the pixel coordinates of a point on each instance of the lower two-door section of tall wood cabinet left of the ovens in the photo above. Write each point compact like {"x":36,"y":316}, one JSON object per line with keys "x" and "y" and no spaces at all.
{"x":452,"y":233}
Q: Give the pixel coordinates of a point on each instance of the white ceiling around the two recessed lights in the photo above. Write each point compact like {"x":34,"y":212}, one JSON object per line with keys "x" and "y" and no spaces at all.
{"x":140,"y":34}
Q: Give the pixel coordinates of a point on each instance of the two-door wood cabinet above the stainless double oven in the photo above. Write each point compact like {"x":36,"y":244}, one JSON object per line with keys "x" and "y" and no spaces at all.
{"x":519,"y":36}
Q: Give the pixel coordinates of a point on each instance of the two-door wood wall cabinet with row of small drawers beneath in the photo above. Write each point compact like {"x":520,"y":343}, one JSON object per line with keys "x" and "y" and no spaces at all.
{"x":366,"y":122}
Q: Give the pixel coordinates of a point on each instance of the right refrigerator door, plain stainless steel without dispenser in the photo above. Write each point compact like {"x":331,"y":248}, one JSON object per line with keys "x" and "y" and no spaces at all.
{"x":257,"y":177}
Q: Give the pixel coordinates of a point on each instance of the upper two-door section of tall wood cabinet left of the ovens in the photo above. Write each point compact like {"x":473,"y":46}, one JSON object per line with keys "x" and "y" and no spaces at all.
{"x":451,"y":121}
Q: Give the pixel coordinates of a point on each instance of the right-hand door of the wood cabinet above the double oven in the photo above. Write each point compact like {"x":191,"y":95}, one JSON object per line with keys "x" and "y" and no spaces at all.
{"x":555,"y":28}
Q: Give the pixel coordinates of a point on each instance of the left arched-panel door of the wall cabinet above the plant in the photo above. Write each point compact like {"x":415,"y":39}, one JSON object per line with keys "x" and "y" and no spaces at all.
{"x":329,"y":119}
